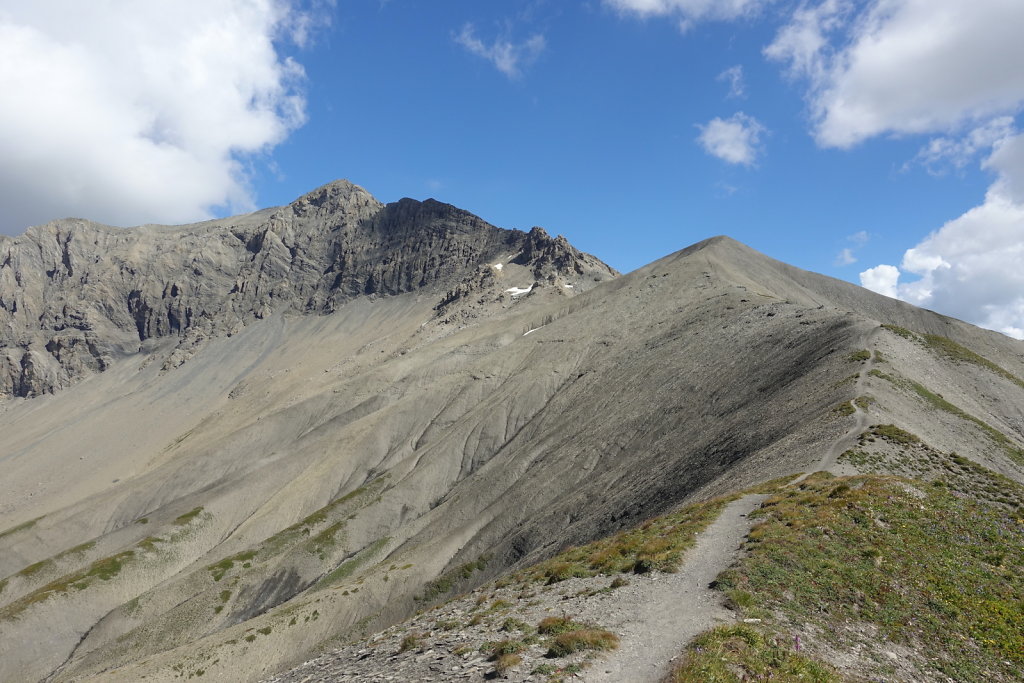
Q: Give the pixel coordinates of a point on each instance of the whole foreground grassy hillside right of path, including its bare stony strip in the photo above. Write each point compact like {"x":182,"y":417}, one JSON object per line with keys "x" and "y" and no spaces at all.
{"x":886,"y":577}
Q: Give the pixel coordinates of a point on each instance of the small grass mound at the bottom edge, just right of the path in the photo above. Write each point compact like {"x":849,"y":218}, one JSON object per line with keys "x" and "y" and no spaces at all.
{"x":742,"y":653}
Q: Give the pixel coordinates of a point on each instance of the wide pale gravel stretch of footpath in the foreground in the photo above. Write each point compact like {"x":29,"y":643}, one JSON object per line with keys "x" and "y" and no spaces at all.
{"x":656,"y":626}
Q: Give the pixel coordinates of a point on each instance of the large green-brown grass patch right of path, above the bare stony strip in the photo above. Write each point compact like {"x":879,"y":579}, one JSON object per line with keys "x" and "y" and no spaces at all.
{"x":937,"y":573}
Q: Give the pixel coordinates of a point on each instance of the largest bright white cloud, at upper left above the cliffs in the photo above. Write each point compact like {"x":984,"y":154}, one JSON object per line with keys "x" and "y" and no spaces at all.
{"x":129,"y":112}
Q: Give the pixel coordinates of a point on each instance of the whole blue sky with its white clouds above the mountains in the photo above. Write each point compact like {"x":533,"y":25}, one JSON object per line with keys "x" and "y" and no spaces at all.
{"x":836,"y":136}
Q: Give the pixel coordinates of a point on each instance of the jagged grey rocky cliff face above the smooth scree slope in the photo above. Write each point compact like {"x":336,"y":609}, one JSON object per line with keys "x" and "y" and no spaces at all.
{"x":76,"y":295}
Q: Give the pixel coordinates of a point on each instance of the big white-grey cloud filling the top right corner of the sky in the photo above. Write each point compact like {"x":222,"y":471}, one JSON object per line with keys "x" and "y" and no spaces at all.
{"x":906,"y":66}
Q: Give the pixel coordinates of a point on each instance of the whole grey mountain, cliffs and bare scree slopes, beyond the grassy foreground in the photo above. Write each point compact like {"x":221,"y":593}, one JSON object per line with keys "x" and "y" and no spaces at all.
{"x":313,"y":421}
